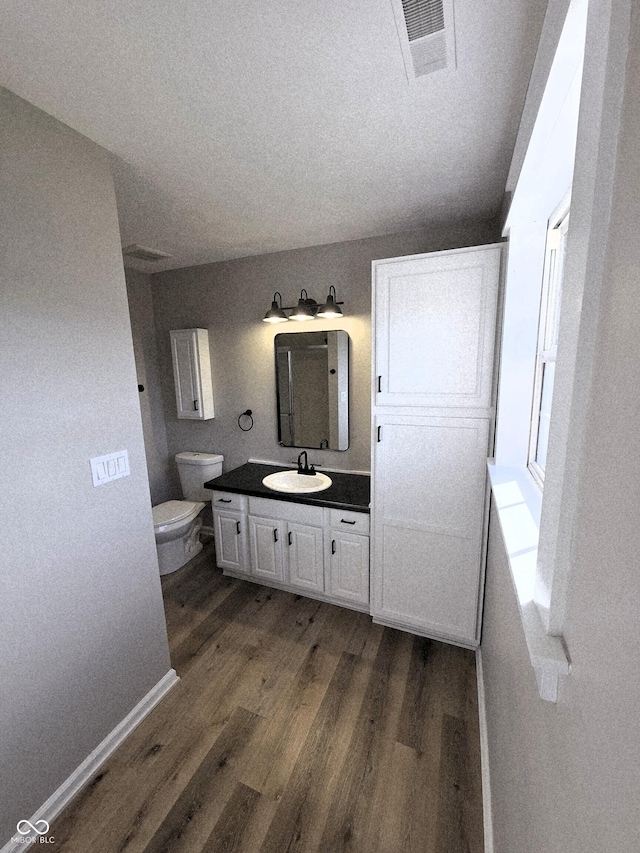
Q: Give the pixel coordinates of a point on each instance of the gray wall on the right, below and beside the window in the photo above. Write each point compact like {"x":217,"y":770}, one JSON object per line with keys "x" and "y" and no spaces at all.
{"x":566,"y":778}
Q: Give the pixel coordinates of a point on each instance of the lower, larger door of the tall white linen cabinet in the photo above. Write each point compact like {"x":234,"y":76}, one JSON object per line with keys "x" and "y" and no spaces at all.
{"x":428,"y":511}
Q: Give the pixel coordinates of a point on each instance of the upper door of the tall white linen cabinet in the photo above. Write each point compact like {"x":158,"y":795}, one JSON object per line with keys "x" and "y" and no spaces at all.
{"x":435,"y":319}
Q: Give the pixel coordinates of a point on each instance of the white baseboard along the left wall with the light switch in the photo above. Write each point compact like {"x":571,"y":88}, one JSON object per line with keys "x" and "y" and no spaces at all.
{"x":83,"y":773}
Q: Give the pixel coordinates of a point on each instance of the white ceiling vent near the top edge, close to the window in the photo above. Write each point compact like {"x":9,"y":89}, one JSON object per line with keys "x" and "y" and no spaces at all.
{"x":425,"y":29}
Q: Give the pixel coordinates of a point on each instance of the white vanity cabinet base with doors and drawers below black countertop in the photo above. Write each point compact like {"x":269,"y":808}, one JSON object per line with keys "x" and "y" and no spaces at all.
{"x":317,"y":551}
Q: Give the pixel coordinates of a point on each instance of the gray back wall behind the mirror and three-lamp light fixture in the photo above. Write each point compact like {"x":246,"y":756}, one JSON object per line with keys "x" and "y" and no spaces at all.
{"x":230,"y":300}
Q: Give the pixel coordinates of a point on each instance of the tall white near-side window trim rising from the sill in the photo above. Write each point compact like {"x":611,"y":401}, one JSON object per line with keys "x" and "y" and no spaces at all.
{"x":585,"y":280}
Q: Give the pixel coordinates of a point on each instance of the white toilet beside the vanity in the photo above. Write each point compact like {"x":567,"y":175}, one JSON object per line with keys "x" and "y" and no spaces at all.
{"x":176,"y":523}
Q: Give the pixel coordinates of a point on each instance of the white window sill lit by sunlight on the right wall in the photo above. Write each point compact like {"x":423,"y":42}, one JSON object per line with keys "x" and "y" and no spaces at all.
{"x":518,"y":500}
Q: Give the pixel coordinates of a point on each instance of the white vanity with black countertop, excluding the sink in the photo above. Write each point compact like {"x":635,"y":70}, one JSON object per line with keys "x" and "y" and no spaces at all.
{"x":312,"y":544}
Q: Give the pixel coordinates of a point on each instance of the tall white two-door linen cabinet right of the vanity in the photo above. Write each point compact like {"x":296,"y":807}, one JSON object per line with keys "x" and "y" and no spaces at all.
{"x":433,"y":394}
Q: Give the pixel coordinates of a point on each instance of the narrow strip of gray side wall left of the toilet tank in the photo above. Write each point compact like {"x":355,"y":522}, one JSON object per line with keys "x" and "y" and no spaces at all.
{"x":161,"y":483}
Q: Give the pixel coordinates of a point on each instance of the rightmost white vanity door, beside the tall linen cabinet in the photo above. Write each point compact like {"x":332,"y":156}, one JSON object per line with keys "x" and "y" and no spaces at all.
{"x":348,"y":576}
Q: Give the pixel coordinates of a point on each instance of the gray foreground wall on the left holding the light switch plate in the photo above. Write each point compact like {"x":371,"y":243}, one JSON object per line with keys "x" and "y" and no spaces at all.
{"x":82,"y":627}
